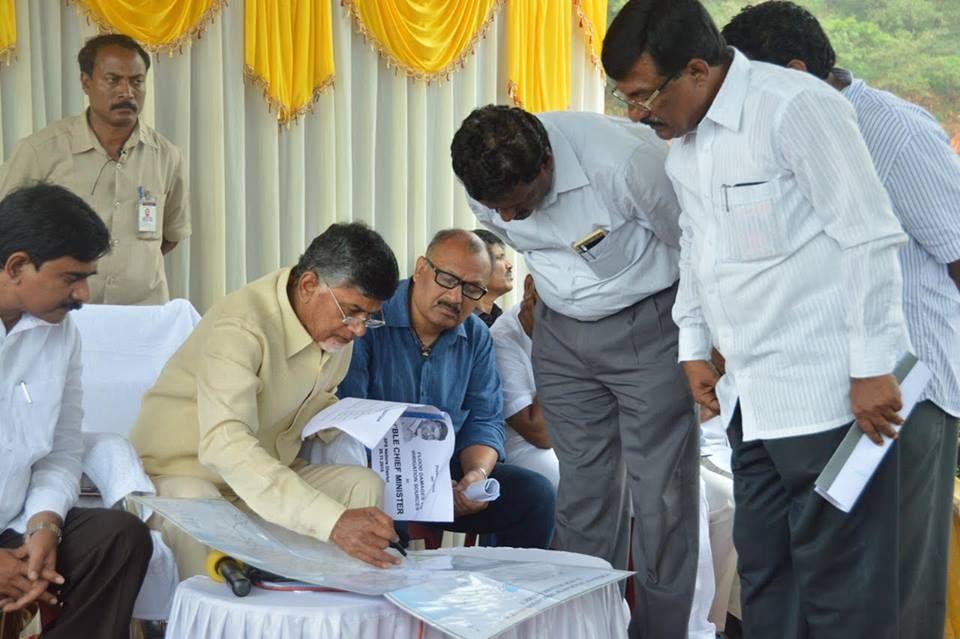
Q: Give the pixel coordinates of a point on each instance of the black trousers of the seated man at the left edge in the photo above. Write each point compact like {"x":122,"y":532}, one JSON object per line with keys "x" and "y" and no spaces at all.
{"x":103,"y":558}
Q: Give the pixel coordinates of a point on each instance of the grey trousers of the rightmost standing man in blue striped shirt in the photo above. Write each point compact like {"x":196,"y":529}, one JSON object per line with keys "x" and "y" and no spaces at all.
{"x":928,"y":447}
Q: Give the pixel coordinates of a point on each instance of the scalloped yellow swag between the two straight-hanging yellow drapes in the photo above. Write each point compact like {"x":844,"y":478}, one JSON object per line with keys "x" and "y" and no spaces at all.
{"x":424,"y":38}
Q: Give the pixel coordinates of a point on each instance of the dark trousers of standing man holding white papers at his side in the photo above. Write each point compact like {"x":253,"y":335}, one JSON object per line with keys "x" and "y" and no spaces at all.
{"x":807,"y":569}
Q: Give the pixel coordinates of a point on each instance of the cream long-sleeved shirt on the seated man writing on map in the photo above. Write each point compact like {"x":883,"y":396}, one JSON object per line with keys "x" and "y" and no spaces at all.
{"x":231,"y":403}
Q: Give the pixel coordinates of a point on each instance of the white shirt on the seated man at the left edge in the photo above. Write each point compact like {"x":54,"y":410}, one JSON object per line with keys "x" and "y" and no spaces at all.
{"x":40,"y":412}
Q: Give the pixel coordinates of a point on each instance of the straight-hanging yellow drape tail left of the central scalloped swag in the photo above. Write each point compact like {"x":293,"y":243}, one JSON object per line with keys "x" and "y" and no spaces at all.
{"x":288,"y":50}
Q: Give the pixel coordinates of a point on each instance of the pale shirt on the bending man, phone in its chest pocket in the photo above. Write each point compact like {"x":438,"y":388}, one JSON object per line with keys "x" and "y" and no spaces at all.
{"x":608,"y":175}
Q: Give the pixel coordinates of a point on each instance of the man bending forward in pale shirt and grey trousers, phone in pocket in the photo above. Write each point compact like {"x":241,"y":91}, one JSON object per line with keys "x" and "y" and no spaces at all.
{"x":585,"y":198}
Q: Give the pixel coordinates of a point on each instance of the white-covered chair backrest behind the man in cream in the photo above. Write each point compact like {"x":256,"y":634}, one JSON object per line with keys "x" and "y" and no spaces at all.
{"x":124,"y":349}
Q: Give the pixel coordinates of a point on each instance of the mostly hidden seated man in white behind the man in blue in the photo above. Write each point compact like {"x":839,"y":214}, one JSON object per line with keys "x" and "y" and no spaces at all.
{"x":528,"y":443}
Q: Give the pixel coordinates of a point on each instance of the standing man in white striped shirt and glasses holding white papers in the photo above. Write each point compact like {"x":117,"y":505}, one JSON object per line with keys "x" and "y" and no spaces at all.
{"x":789,"y":265}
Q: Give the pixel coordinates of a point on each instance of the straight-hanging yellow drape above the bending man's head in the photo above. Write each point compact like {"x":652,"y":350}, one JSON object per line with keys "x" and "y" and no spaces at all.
{"x":538,"y":53}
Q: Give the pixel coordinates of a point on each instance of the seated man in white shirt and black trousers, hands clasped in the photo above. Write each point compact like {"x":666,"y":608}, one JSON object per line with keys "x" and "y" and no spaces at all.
{"x":89,"y":561}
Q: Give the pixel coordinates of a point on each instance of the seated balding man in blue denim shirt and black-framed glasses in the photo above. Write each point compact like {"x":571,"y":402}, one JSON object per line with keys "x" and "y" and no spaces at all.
{"x":434,"y":351}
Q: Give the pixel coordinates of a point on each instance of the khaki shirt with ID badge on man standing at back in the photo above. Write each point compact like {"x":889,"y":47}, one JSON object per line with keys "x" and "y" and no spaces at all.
{"x":68,"y":153}
